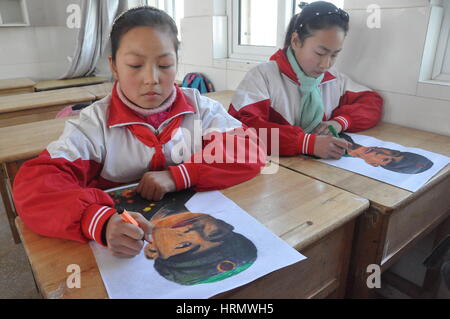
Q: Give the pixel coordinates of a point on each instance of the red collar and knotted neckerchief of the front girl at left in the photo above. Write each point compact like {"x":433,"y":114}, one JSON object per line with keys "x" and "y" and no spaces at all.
{"x":122,"y":115}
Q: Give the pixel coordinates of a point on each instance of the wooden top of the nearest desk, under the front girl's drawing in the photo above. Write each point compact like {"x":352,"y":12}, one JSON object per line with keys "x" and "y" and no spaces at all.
{"x":297,"y":208}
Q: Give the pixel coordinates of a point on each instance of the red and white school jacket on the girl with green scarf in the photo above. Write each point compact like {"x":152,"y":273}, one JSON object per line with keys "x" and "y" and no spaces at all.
{"x":269,"y":97}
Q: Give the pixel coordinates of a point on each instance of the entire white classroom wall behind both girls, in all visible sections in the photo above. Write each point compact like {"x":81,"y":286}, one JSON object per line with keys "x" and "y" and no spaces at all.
{"x":387,"y":59}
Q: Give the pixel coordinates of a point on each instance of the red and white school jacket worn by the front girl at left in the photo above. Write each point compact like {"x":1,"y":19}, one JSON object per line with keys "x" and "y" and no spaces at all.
{"x":60,"y":193}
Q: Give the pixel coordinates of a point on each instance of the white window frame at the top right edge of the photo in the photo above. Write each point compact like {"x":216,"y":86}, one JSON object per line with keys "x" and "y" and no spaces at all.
{"x":437,"y":44}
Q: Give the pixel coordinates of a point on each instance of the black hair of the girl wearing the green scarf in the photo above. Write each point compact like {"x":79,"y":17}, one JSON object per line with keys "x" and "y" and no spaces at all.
{"x":318,"y":15}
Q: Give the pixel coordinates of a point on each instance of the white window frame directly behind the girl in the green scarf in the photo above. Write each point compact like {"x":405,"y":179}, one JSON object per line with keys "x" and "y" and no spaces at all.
{"x":253,"y":52}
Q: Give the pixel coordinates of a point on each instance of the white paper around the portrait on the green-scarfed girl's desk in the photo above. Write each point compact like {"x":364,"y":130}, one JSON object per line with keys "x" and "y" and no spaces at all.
{"x":408,"y":181}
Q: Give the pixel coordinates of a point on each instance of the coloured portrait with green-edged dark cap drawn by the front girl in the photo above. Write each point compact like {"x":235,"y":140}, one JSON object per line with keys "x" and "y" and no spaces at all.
{"x":194,"y":248}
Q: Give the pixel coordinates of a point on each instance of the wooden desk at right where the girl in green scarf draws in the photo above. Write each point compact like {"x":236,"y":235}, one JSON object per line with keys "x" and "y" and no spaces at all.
{"x":397,"y":218}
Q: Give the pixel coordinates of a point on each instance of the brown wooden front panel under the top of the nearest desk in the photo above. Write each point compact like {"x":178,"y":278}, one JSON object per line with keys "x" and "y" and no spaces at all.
{"x":322,"y":275}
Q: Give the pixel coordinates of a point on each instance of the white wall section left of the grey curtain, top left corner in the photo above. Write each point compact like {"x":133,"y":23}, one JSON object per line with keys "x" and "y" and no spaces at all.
{"x":39,"y":51}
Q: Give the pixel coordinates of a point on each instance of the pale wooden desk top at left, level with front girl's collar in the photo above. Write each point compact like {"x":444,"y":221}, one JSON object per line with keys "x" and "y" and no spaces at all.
{"x":27,"y":101}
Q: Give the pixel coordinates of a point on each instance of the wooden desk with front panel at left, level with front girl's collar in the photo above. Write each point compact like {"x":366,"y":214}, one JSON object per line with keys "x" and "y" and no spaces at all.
{"x":38,"y":106}
